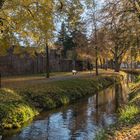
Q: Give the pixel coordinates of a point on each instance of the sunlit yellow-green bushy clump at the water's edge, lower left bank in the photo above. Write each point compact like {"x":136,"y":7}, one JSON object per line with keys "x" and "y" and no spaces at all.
{"x":15,"y":114}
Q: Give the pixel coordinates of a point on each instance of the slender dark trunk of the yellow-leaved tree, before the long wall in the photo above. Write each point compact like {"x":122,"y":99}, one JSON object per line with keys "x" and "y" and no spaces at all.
{"x":47,"y":62}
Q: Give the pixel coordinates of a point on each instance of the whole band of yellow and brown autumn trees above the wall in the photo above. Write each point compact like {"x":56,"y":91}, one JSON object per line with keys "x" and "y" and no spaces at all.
{"x":89,"y":30}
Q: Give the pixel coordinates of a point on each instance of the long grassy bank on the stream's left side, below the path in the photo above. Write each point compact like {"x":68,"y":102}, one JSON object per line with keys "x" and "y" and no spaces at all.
{"x":19,"y":105}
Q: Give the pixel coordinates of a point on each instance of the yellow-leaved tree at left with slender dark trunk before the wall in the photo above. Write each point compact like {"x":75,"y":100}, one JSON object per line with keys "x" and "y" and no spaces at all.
{"x":30,"y":20}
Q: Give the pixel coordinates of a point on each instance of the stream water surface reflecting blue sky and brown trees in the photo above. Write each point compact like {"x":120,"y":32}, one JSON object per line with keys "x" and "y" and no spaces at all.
{"x":80,"y":121}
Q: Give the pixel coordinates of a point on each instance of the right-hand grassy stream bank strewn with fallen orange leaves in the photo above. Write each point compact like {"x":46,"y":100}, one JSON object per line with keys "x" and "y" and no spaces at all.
{"x":128,"y":124}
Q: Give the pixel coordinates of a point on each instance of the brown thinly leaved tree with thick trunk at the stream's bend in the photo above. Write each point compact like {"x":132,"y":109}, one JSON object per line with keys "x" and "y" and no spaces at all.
{"x":120,"y":30}
